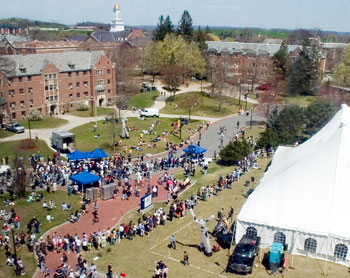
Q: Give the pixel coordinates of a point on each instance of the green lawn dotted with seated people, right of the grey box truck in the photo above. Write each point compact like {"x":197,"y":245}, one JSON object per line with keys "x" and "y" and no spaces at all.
{"x":85,"y":141}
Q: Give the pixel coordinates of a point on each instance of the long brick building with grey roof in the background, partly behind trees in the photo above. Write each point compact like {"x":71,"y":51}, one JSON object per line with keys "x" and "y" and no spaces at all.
{"x":247,"y":62}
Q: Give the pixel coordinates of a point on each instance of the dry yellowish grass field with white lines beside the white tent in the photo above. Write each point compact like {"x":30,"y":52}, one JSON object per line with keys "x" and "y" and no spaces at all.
{"x":187,"y":233}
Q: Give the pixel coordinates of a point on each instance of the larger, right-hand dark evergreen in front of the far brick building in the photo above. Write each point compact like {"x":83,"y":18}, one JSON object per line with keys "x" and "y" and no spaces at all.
{"x":305,"y":72}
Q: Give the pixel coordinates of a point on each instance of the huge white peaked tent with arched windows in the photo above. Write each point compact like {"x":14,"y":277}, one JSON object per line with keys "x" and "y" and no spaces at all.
{"x":303,"y":200}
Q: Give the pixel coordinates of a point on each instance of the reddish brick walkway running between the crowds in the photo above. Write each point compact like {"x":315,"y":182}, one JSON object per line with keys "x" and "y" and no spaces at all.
{"x":110,"y":213}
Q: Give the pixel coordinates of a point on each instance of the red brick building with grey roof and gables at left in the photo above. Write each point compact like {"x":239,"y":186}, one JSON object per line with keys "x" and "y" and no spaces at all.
{"x":56,"y":82}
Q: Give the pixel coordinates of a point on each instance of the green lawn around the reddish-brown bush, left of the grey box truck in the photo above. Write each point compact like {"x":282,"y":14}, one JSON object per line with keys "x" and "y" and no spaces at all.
{"x":10,"y":148}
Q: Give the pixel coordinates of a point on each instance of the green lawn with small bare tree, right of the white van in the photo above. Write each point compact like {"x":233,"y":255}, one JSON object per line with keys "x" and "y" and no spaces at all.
{"x":209,"y":107}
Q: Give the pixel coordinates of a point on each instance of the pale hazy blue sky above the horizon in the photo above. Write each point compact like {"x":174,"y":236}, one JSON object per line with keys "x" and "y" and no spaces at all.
{"x":324,"y":14}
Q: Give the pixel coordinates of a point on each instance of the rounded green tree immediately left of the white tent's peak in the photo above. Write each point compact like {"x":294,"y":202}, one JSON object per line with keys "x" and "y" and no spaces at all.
{"x":318,"y":114}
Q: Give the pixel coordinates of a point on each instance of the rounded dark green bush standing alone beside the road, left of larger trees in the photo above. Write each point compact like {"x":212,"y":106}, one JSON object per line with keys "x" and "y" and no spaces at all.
{"x":234,"y":152}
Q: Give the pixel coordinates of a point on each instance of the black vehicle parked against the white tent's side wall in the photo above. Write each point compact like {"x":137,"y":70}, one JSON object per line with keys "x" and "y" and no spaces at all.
{"x":242,"y":259}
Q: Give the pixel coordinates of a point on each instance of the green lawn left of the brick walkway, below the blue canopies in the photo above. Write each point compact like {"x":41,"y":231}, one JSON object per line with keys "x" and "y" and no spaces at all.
{"x":26,"y":211}
